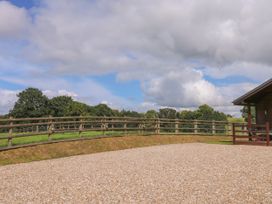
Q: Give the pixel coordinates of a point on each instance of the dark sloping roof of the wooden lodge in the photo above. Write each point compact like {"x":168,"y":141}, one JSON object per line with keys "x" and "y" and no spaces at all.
{"x":253,"y":96}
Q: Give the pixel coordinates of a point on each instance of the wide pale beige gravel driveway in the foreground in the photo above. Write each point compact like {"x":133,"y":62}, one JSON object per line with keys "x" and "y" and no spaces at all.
{"x":181,"y":173}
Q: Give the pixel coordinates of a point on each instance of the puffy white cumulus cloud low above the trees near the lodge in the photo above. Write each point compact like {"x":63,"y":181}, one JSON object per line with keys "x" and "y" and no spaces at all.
{"x":185,"y":88}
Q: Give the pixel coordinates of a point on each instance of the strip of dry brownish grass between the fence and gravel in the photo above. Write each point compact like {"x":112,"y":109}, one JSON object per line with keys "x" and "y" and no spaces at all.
{"x":64,"y":149}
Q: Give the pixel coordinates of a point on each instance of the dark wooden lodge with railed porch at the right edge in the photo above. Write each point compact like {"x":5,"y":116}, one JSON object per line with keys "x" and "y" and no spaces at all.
{"x":259,"y":98}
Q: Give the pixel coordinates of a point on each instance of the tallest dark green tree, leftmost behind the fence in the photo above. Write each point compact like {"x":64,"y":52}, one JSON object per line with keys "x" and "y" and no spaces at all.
{"x":31,"y":103}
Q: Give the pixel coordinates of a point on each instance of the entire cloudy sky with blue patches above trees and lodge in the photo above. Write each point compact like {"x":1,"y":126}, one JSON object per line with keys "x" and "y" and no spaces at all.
{"x":136,"y":54}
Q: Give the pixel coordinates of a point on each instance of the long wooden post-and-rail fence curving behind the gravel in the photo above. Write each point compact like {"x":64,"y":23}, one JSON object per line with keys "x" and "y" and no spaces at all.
{"x":47,"y":129}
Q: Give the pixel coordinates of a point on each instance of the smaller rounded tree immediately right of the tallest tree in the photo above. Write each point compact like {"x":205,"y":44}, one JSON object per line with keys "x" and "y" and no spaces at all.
{"x":59,"y":105}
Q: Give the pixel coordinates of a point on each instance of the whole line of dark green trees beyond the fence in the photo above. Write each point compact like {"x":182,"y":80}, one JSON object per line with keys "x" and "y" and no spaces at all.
{"x":33,"y":103}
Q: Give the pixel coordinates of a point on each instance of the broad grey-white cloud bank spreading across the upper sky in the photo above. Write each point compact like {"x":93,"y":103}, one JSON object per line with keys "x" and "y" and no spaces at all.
{"x":125,"y":36}
